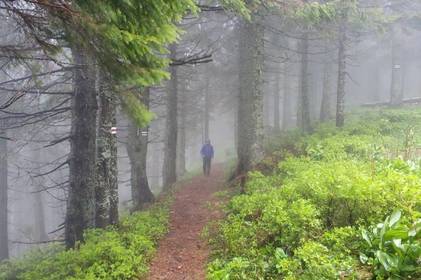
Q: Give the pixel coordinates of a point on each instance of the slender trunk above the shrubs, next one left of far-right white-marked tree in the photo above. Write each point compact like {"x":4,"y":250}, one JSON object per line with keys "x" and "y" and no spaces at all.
{"x":340,"y":102}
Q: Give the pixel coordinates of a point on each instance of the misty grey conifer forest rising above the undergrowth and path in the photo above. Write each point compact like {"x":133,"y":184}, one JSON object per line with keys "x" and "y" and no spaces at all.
{"x":232,"y":79}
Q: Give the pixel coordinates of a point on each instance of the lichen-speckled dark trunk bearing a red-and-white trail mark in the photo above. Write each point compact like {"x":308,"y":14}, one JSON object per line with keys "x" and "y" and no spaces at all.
{"x":106,"y":192}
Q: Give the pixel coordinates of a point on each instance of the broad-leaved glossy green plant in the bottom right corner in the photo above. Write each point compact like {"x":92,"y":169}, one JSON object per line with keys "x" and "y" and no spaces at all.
{"x":394,"y":248}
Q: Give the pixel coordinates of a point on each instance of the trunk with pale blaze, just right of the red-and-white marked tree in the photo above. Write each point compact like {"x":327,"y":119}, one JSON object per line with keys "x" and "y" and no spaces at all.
{"x":137,"y":149}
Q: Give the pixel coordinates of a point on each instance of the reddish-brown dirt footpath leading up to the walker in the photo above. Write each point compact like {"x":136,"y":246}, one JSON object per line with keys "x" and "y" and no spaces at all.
{"x":183,"y":253}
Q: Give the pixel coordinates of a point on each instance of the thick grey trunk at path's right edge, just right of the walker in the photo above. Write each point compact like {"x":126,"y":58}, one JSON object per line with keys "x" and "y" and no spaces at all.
{"x":250,"y":101}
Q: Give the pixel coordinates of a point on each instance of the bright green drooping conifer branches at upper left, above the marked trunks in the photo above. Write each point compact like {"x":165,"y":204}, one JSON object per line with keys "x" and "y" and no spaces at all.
{"x":130,"y":37}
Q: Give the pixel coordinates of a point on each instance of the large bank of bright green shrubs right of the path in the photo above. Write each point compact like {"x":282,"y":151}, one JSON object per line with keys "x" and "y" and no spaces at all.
{"x":336,"y":204}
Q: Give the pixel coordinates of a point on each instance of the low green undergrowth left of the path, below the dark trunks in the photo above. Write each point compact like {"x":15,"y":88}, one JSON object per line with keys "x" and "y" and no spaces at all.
{"x":115,"y":253}
